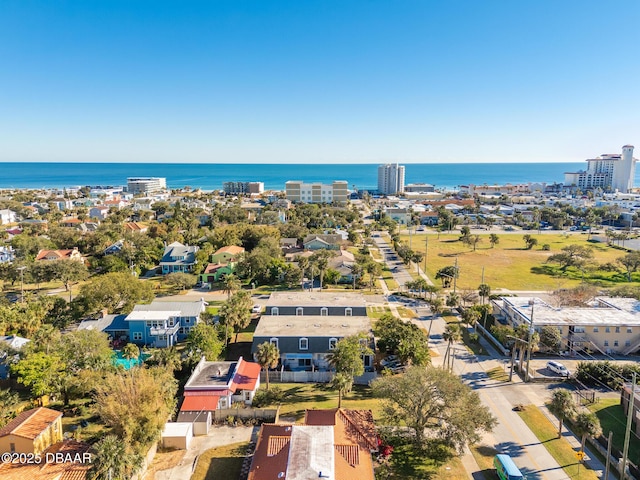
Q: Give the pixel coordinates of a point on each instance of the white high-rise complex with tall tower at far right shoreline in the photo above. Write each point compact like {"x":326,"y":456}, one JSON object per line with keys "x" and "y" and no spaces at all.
{"x":610,"y":171}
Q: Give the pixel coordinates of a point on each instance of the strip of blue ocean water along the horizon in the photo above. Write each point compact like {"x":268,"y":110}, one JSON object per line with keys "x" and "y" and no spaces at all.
{"x":274,"y":176}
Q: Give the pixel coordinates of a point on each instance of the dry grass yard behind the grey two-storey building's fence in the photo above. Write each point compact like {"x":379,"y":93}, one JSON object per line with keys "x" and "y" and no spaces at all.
{"x":299,"y":397}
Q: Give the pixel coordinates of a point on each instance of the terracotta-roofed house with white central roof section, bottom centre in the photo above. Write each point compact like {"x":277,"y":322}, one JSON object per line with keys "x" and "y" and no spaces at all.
{"x":336,"y":444}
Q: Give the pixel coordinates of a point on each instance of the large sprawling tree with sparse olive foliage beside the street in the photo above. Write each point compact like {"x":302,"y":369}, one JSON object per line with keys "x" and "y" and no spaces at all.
{"x":435,"y":404}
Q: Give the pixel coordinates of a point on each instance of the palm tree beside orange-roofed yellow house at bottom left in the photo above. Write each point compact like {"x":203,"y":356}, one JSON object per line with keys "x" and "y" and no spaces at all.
{"x":112,"y":460}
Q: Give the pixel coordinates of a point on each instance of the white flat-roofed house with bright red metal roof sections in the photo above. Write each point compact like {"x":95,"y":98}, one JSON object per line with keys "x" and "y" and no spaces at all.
{"x":216,"y":385}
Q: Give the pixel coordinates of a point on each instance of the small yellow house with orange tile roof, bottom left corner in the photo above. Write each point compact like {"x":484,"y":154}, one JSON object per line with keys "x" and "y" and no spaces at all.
{"x":32,"y":431}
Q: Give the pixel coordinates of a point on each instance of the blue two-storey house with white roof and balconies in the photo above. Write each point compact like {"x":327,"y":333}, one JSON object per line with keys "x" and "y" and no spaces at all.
{"x":162,"y":324}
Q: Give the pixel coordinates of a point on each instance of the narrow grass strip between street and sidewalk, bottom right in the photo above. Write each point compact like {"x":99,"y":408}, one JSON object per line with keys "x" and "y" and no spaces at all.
{"x":559,"y":448}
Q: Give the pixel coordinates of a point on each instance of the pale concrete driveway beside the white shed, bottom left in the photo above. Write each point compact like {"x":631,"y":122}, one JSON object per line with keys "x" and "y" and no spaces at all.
{"x":218,"y":437}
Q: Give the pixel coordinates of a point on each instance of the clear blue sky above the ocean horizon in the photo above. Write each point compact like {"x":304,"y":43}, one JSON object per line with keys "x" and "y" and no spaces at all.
{"x":321,"y":81}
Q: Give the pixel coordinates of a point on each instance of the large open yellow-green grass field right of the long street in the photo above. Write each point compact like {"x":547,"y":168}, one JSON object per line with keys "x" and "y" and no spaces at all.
{"x":510,"y":265}
